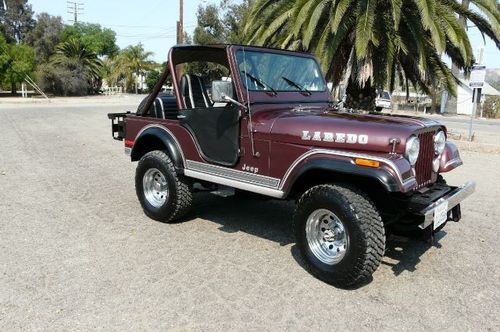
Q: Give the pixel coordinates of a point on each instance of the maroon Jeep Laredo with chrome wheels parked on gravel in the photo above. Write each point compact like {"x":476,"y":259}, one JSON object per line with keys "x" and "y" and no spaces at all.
{"x":262,"y":120}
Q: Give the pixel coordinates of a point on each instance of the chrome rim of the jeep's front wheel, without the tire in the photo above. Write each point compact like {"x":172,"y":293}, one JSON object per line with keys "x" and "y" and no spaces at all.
{"x":326,"y":236}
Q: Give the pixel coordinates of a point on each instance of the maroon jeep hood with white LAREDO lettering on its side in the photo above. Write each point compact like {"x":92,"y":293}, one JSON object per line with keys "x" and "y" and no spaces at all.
{"x":363,"y":132}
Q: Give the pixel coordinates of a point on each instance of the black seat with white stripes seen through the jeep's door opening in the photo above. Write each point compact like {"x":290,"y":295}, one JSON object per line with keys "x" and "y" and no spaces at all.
{"x":194,"y":93}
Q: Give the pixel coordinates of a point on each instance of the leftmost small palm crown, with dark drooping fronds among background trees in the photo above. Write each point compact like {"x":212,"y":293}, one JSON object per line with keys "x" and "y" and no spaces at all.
{"x":74,"y":53}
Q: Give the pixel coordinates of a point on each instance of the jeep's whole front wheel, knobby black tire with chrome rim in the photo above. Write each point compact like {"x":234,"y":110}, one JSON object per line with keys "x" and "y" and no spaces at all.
{"x":340,"y":234}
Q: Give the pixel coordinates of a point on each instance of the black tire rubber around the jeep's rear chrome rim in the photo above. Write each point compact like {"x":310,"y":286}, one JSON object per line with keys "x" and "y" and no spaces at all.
{"x":180,"y":195}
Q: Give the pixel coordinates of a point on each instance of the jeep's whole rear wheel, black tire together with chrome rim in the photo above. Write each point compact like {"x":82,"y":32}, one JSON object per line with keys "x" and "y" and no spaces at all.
{"x":164,"y":195}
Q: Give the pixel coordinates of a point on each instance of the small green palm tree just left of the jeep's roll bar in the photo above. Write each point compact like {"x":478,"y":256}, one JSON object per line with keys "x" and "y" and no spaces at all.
{"x":132,"y":60}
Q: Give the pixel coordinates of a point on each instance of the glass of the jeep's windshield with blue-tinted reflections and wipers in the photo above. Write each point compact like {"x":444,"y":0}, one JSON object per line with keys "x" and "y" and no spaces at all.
{"x":277,"y":72}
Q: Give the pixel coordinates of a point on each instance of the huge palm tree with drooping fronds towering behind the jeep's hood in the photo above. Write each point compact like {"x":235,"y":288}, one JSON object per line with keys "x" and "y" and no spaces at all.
{"x":376,"y":43}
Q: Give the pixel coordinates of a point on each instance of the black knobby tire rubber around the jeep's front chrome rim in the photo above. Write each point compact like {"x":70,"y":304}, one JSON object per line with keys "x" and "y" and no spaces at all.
{"x":364,"y":227}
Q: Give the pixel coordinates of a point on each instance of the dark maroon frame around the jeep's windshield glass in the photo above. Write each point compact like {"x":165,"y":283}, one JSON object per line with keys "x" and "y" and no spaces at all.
{"x":283,"y":53}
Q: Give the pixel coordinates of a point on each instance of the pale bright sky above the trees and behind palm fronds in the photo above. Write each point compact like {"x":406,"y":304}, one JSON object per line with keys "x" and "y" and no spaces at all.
{"x":153,"y":23}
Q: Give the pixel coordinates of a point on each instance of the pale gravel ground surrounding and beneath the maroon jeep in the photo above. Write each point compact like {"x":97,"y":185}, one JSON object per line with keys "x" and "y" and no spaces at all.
{"x":77,"y":252}
